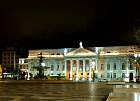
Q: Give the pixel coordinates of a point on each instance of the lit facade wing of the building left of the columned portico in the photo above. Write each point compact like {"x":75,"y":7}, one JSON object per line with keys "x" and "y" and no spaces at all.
{"x":53,"y":62}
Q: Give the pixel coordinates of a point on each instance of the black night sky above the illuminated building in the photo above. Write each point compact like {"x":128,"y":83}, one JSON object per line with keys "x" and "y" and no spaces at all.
{"x":63,"y":23}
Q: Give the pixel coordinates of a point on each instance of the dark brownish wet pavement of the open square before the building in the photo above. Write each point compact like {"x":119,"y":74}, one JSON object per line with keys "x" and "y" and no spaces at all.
{"x":54,"y":92}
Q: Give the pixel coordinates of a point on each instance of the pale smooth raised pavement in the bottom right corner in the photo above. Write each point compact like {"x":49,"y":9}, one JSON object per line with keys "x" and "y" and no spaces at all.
{"x":125,"y":92}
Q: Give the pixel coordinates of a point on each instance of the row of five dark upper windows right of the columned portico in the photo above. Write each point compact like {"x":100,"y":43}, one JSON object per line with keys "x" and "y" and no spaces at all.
{"x":123,"y":67}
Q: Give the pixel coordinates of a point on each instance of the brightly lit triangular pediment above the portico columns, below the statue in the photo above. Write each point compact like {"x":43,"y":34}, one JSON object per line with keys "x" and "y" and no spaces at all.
{"x":81,"y":52}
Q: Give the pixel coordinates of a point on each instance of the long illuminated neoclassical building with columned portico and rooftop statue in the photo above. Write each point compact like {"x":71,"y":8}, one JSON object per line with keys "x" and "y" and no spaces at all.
{"x":85,"y":63}
